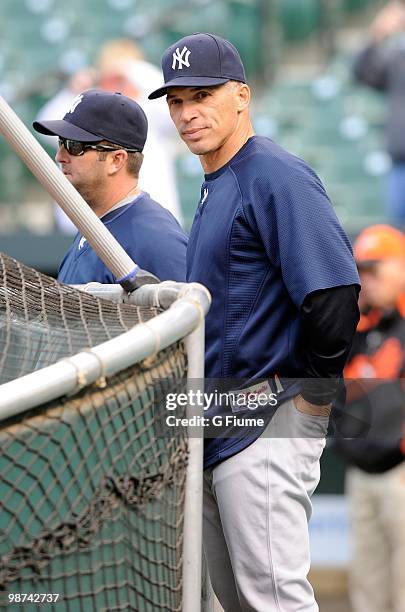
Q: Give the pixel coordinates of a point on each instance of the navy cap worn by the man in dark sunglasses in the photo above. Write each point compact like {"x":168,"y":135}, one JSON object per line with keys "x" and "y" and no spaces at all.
{"x":97,"y":115}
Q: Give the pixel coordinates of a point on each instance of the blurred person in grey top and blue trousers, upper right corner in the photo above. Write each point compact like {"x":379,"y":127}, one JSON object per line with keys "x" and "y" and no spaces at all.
{"x":381,"y":65}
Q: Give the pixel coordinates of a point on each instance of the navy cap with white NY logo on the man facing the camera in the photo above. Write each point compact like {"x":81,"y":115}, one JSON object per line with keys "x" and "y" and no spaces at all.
{"x":200,"y":59}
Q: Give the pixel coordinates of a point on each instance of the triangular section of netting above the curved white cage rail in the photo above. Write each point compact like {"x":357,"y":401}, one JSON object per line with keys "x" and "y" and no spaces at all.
{"x":42,"y":321}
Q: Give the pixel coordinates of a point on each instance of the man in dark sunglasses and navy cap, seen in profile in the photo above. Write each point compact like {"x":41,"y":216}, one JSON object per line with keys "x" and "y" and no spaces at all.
{"x":101,"y":139}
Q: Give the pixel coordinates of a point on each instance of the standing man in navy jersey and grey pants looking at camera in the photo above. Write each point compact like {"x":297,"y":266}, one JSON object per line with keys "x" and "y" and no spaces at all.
{"x":266,"y":242}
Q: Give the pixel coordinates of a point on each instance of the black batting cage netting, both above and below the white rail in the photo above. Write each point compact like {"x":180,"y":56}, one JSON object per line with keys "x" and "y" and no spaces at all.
{"x":91,"y":498}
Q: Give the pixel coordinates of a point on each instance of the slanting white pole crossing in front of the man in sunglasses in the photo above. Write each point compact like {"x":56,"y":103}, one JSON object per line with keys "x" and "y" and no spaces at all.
{"x":54,"y":181}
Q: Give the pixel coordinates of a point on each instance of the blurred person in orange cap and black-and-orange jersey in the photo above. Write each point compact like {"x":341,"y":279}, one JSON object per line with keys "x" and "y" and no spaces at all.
{"x":375,"y":482}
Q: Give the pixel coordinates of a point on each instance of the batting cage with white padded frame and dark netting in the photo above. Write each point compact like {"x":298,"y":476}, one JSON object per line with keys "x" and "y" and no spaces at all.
{"x":158,"y":471}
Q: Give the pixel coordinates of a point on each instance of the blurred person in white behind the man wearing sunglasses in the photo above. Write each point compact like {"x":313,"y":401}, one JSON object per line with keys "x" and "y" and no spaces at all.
{"x":120,"y":66}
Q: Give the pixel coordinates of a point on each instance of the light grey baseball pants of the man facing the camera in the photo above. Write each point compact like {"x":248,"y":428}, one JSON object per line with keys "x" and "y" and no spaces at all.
{"x":256,"y":511}
